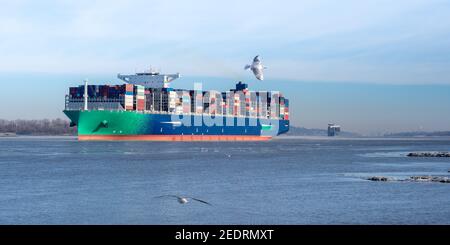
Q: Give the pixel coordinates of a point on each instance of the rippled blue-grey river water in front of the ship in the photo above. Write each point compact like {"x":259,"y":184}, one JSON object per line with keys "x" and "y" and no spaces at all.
{"x":283,"y":181}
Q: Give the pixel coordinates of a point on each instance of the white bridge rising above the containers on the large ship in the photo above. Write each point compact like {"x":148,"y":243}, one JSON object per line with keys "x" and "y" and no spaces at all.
{"x":149,"y":79}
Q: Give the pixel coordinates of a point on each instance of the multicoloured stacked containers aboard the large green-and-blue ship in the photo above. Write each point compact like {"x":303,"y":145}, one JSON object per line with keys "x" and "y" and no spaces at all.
{"x":236,"y":102}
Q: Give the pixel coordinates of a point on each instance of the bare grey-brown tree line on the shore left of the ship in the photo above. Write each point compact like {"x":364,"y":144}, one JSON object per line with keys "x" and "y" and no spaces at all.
{"x":37,"y":127}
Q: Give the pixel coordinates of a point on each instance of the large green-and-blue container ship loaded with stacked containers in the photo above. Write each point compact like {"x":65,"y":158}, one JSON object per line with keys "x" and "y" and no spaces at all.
{"x":145,"y":107}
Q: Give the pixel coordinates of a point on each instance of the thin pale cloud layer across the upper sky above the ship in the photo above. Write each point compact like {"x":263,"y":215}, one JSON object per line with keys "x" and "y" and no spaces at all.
{"x":361,"y":41}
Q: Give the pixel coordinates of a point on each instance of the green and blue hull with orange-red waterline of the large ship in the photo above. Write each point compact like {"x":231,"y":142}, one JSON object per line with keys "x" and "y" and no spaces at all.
{"x":134,"y":125}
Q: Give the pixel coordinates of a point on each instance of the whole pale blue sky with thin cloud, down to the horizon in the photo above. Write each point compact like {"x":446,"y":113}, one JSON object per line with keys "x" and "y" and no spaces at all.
{"x":372,"y":66}
